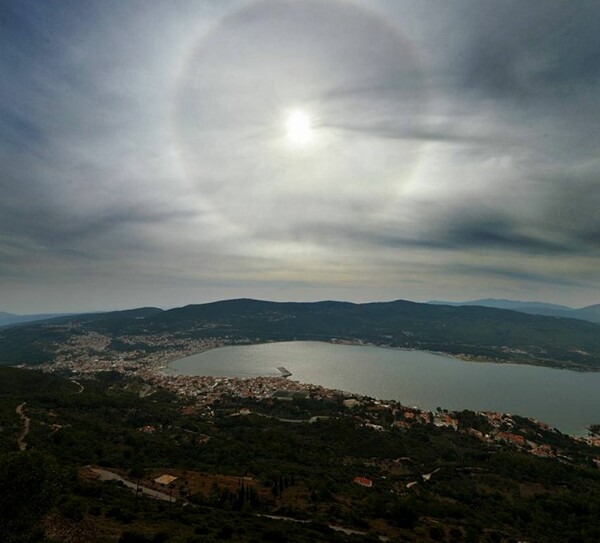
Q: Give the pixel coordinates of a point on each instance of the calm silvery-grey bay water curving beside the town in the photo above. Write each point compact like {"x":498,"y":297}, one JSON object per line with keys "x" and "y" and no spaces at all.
{"x":567,"y":400}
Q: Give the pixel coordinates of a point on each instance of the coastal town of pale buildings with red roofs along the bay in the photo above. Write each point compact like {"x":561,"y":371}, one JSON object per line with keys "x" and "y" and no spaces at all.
{"x":148,"y":357}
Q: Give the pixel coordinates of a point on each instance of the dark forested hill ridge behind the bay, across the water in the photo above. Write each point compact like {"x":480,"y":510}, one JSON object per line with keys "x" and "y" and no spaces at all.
{"x":474,"y":332}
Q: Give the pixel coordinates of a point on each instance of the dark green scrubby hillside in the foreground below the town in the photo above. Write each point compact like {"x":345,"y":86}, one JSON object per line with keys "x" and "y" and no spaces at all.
{"x":429,"y":484}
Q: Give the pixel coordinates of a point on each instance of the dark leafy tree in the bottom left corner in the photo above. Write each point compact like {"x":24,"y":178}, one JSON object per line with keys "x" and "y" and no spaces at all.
{"x":30,"y":483}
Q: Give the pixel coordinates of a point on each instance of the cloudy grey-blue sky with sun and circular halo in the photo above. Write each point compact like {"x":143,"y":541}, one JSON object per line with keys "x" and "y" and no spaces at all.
{"x":165,"y":153}
